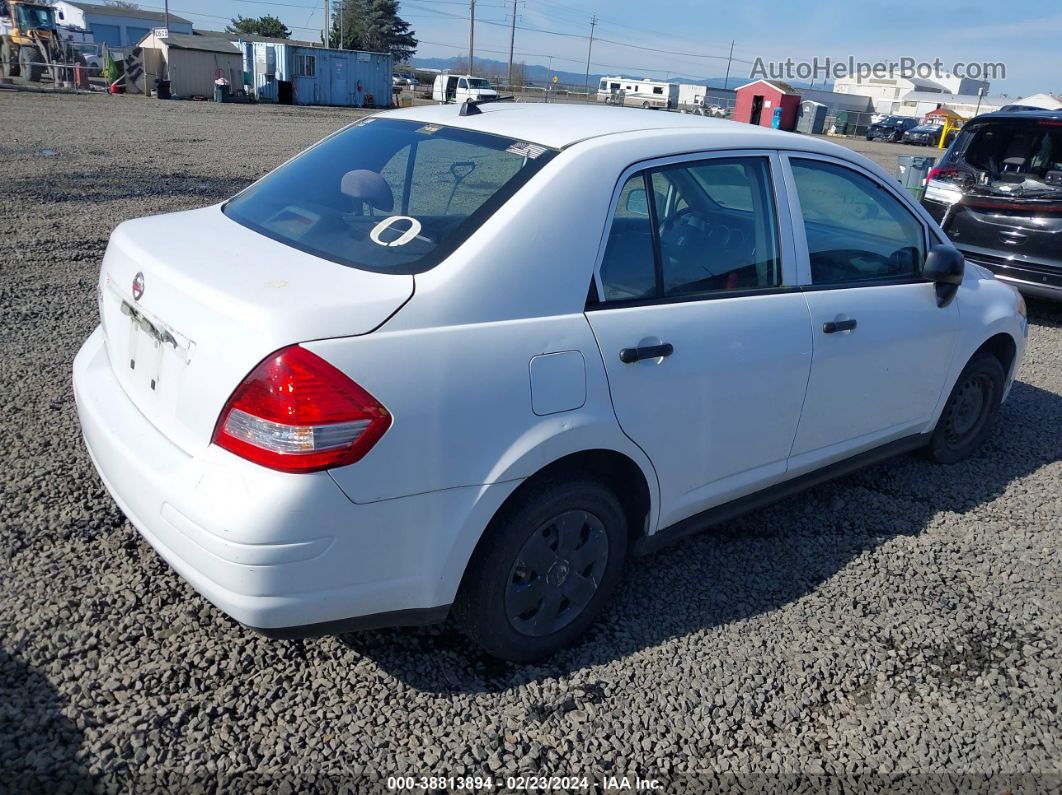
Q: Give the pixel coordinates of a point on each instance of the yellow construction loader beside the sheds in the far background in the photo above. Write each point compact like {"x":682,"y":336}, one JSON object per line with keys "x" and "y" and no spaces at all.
{"x":30,"y":41}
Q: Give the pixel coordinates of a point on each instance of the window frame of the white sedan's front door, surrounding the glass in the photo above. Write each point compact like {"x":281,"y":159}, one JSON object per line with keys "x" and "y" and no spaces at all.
{"x":800,"y":233}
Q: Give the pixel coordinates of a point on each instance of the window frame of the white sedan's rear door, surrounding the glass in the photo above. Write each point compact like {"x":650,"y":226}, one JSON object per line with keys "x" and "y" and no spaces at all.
{"x":783,"y":220}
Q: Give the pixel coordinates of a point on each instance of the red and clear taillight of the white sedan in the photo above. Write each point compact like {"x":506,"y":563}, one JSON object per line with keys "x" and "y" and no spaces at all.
{"x":297,"y":413}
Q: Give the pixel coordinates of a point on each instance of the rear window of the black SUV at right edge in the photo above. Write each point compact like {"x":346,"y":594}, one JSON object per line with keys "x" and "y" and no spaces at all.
{"x":1022,"y":148}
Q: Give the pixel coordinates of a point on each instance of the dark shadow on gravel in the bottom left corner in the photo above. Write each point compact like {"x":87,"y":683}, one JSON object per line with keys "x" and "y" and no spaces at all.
{"x":39,"y":745}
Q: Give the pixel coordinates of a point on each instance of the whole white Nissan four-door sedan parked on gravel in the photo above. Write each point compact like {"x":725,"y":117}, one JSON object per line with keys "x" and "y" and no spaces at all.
{"x":470,"y":359}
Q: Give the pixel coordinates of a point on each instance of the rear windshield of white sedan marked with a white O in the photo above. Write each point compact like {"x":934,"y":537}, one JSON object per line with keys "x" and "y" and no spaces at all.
{"x":388,"y":196}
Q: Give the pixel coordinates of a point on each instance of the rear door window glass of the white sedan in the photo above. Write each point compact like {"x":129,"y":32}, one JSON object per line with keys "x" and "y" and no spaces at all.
{"x":707,"y":228}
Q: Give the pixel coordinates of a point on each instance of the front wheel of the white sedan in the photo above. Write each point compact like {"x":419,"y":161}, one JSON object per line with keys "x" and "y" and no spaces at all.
{"x":970,"y":411}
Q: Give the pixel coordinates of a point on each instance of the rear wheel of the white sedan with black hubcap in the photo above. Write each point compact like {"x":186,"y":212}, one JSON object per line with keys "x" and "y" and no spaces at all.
{"x":558,"y":552}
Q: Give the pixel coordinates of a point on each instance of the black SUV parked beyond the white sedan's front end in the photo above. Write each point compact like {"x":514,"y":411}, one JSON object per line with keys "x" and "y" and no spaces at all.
{"x":998,"y":195}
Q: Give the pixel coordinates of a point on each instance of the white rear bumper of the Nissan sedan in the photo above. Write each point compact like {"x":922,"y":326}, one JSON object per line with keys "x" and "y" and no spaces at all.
{"x":286,"y":555}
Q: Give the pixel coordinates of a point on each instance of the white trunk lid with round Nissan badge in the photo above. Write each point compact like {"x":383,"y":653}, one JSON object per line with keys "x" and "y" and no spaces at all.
{"x":212,"y":300}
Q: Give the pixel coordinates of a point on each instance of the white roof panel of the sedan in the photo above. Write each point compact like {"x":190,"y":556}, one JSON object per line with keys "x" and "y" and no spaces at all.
{"x":560,"y":126}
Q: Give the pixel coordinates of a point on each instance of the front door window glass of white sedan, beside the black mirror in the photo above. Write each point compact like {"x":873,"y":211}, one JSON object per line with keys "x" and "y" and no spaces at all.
{"x":857,"y":231}
